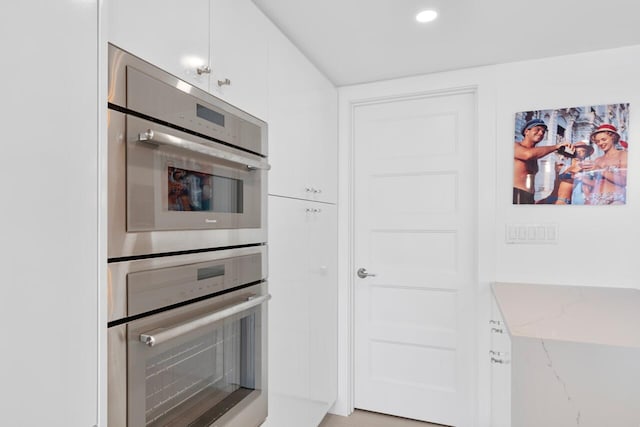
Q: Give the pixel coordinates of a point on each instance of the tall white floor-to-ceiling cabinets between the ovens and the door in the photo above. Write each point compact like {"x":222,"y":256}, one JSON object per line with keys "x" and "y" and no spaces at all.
{"x":303,"y":146}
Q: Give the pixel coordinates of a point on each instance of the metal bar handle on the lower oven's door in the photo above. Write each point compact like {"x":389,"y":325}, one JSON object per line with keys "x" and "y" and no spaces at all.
{"x":158,"y":336}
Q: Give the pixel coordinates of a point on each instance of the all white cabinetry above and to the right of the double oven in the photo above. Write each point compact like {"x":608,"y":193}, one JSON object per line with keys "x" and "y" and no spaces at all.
{"x":269,"y":78}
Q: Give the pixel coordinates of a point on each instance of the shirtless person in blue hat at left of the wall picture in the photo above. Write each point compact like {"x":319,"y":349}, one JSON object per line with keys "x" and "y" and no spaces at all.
{"x":526,"y":155}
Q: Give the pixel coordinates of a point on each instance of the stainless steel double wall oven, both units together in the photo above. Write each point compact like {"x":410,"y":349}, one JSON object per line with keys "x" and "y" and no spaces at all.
{"x":187,"y":254}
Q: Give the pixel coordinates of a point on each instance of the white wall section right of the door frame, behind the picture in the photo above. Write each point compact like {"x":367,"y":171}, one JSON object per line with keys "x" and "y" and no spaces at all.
{"x":597,"y":244}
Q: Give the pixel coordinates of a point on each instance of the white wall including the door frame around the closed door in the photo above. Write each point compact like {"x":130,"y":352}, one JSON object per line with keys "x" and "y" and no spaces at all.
{"x":596,"y":244}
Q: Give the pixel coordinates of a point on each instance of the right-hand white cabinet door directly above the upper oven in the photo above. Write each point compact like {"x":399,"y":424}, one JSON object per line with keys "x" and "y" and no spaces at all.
{"x":239,"y":55}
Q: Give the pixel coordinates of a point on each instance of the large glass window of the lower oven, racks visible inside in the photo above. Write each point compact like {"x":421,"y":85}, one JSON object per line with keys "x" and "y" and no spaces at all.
{"x":202,"y":377}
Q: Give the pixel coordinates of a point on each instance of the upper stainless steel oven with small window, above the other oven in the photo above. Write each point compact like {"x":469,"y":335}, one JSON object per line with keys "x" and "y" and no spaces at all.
{"x":187,"y":171}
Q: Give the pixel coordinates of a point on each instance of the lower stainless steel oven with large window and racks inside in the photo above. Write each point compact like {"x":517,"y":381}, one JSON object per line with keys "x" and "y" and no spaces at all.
{"x":187,"y":340}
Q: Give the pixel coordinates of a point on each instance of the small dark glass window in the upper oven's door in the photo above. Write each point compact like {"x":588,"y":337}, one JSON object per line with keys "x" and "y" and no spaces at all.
{"x":197,"y":191}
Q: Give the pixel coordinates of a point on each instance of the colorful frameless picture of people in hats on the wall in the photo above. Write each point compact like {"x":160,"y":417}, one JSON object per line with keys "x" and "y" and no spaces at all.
{"x":571,"y":156}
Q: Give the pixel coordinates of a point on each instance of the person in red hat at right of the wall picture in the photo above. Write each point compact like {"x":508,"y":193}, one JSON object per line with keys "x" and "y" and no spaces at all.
{"x":610,"y":169}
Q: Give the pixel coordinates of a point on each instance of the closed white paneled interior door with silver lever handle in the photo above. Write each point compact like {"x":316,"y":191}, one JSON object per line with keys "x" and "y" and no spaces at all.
{"x":415,"y":209}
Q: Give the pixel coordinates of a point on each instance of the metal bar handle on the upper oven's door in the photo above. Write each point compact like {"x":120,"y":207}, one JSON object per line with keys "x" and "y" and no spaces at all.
{"x":155,"y":137}
